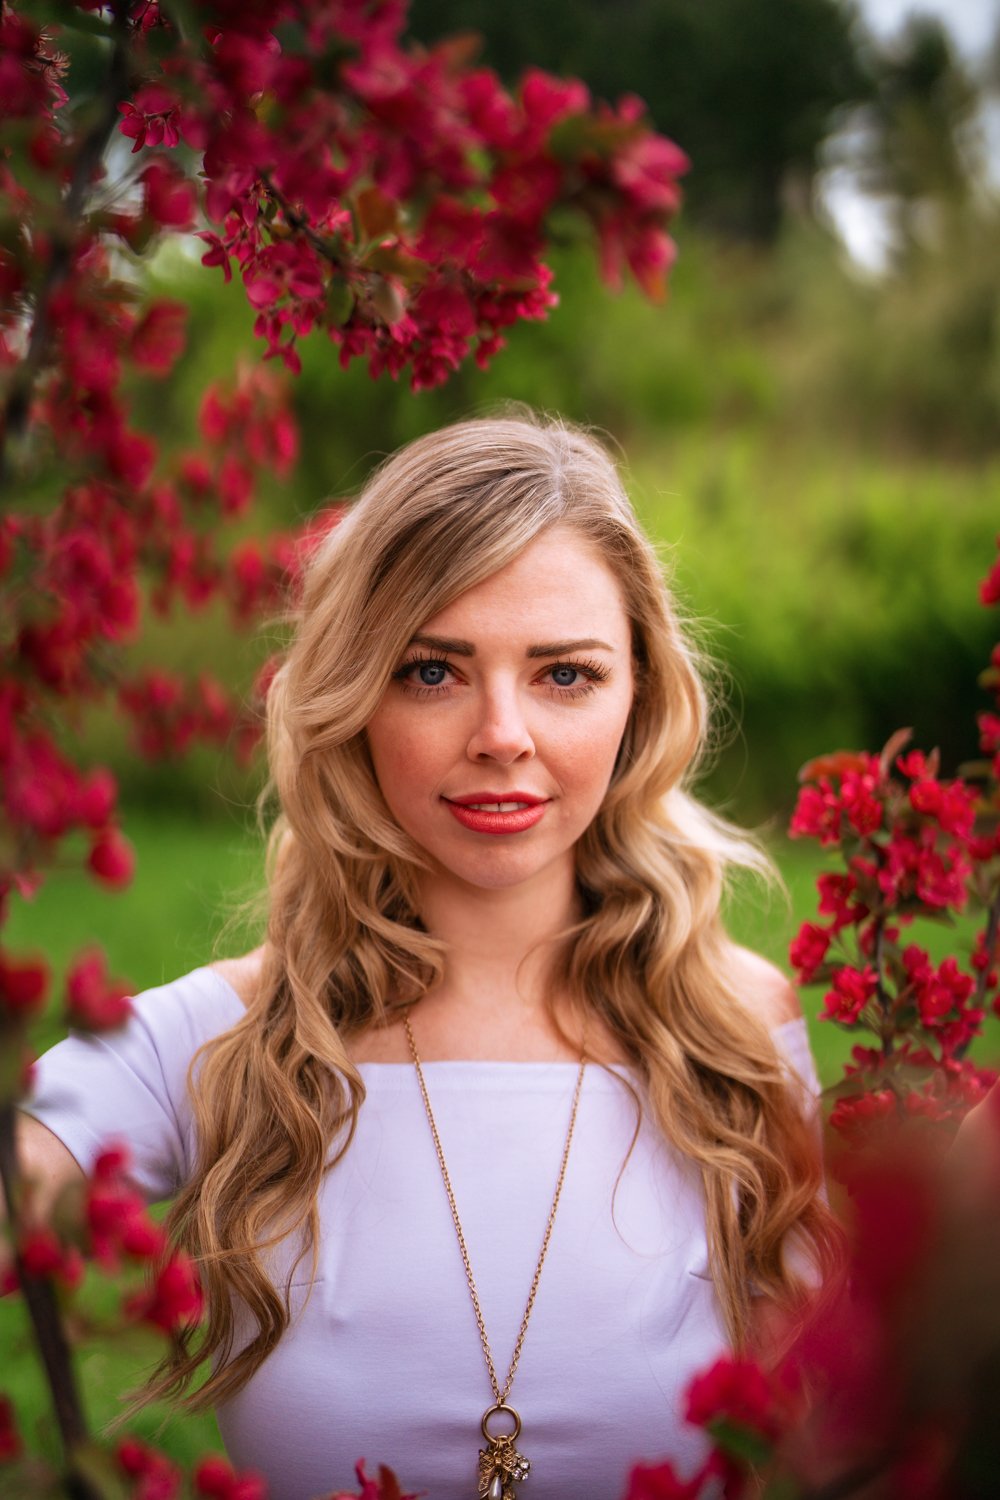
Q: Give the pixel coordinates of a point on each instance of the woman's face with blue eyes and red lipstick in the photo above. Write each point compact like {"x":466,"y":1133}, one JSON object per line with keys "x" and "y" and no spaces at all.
{"x":497,"y":737}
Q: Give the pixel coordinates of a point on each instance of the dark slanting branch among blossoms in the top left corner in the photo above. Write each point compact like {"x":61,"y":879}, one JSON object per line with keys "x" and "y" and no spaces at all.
{"x":19,"y":404}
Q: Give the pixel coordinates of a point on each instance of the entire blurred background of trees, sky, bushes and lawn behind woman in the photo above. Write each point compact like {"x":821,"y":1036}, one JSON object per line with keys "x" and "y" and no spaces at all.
{"x":810,"y":431}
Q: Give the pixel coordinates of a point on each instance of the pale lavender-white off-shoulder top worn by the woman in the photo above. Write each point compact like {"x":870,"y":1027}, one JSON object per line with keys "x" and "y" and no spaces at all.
{"x":383,"y":1358}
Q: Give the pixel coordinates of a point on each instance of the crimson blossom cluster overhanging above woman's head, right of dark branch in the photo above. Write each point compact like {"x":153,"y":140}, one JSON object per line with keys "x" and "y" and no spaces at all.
{"x":389,"y":194}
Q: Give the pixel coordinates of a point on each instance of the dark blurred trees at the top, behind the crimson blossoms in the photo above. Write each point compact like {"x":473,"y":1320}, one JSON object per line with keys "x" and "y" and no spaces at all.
{"x":750,"y":91}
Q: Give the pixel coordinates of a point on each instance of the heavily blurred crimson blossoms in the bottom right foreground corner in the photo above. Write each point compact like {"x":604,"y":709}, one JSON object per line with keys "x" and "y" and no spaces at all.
{"x":879,"y":1385}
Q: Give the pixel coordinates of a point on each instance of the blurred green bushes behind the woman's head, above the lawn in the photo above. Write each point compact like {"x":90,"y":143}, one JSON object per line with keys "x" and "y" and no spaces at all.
{"x":822,"y":484}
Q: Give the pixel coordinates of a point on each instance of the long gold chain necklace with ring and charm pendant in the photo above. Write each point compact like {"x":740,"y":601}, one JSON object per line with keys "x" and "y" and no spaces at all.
{"x":501,"y":1466}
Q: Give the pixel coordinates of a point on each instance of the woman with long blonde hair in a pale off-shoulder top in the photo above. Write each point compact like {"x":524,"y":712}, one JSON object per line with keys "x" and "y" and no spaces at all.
{"x":497,"y":1088}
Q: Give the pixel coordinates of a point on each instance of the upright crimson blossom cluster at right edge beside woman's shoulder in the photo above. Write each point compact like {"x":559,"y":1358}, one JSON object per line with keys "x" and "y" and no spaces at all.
{"x":915,"y":847}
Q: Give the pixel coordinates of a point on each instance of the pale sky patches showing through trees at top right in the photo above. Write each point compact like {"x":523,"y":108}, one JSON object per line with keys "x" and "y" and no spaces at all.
{"x":974,"y":26}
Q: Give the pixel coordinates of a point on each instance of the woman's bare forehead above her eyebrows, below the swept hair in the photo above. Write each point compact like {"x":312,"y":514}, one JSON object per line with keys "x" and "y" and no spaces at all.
{"x":558,"y":587}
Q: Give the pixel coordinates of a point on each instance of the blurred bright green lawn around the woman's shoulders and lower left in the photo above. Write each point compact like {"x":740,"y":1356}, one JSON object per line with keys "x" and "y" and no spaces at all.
{"x":191,"y":881}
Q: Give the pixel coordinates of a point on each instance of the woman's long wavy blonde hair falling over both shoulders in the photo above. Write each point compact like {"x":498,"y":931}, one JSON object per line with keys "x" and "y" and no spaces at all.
{"x":277,"y":1099}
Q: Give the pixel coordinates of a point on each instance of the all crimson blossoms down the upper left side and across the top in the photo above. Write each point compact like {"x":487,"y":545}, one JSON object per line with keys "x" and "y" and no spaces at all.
{"x":391,"y":196}
